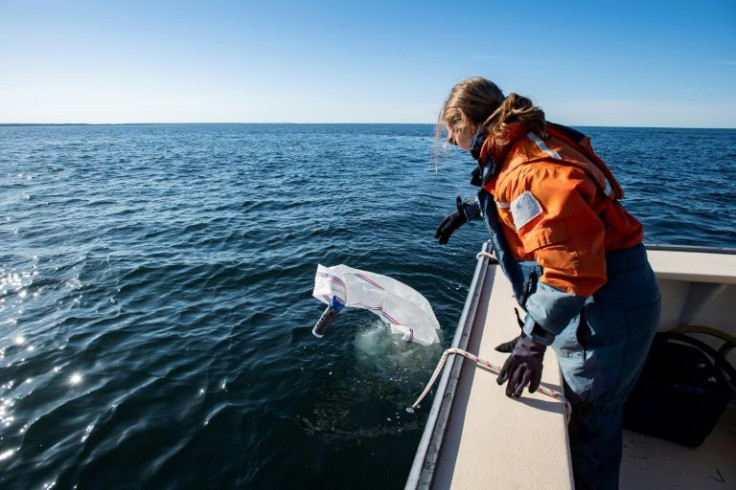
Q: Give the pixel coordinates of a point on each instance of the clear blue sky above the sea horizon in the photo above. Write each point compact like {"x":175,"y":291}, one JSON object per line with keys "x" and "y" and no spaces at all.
{"x":642,"y":63}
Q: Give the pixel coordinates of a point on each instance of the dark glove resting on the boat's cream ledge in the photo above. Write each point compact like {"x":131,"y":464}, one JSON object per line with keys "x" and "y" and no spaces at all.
{"x":524,"y":366}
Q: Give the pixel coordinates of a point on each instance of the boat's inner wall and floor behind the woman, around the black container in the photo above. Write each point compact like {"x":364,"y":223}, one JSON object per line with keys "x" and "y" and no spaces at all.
{"x":698,"y":288}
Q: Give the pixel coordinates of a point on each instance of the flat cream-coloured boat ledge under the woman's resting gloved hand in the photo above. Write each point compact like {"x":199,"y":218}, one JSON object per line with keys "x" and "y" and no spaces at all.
{"x":493,"y":441}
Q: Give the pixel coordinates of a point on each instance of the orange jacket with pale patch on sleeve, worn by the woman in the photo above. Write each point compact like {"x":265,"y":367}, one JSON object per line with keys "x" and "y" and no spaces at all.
{"x":558,"y":208}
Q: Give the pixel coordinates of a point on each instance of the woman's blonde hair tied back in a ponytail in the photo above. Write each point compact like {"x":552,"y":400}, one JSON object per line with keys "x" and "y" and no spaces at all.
{"x":478,"y":104}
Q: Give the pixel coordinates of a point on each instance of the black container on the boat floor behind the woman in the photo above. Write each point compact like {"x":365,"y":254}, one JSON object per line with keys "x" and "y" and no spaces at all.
{"x":683,"y":390}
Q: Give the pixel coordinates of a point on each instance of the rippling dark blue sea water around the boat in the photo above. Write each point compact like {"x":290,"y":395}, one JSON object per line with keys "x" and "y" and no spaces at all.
{"x":155,"y":293}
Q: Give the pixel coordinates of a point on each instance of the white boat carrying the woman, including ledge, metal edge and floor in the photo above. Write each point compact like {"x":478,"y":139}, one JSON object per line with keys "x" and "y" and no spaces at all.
{"x":476,"y":437}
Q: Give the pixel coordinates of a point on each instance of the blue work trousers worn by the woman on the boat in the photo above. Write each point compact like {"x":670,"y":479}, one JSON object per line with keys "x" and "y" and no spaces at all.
{"x":601,"y":354}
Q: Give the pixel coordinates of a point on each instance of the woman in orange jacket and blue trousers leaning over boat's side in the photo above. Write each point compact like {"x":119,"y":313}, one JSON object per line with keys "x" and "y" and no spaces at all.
{"x":574,"y":258}
